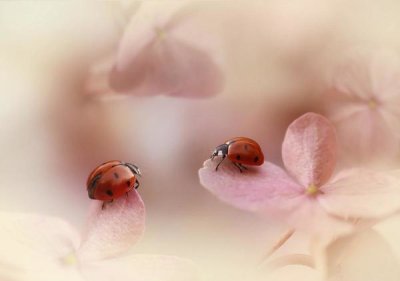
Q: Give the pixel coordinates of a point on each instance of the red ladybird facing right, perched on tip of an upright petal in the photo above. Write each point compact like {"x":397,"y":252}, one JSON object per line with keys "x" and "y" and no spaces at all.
{"x":112,"y":180}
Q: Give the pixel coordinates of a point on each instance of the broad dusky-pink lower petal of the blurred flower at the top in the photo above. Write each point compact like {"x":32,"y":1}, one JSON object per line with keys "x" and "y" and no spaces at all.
{"x":171,"y":67}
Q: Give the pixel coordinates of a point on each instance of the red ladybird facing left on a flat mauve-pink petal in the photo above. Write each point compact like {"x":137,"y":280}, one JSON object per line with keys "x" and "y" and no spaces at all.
{"x":241,"y":151}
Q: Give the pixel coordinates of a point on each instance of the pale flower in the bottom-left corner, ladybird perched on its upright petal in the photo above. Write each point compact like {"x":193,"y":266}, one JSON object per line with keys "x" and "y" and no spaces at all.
{"x":35,"y":247}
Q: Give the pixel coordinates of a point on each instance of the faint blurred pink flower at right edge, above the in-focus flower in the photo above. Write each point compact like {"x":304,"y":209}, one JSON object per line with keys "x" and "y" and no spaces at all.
{"x":363,"y":102}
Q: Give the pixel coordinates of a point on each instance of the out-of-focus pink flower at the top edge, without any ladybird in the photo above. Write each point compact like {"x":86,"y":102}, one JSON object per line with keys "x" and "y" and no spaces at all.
{"x":160,"y":53}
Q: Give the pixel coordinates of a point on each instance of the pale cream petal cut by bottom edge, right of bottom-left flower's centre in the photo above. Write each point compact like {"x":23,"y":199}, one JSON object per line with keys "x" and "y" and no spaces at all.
{"x":142,"y":268}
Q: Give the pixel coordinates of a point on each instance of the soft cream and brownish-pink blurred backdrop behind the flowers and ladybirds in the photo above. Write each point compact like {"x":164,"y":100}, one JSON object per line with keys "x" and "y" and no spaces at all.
{"x":54,"y":130}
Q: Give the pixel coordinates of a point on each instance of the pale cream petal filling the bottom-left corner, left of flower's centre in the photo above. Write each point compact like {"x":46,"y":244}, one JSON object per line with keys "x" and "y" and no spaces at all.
{"x":33,"y":246}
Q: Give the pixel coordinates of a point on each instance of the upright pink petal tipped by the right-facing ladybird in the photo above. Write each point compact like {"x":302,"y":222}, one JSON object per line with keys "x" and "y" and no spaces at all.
{"x":115,"y":229}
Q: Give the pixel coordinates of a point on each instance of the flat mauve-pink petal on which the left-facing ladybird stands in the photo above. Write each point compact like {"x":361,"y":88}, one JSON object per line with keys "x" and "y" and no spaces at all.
{"x":256,"y":189}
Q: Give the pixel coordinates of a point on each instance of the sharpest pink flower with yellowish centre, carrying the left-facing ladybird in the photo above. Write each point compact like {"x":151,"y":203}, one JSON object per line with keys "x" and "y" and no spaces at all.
{"x":307,"y":197}
